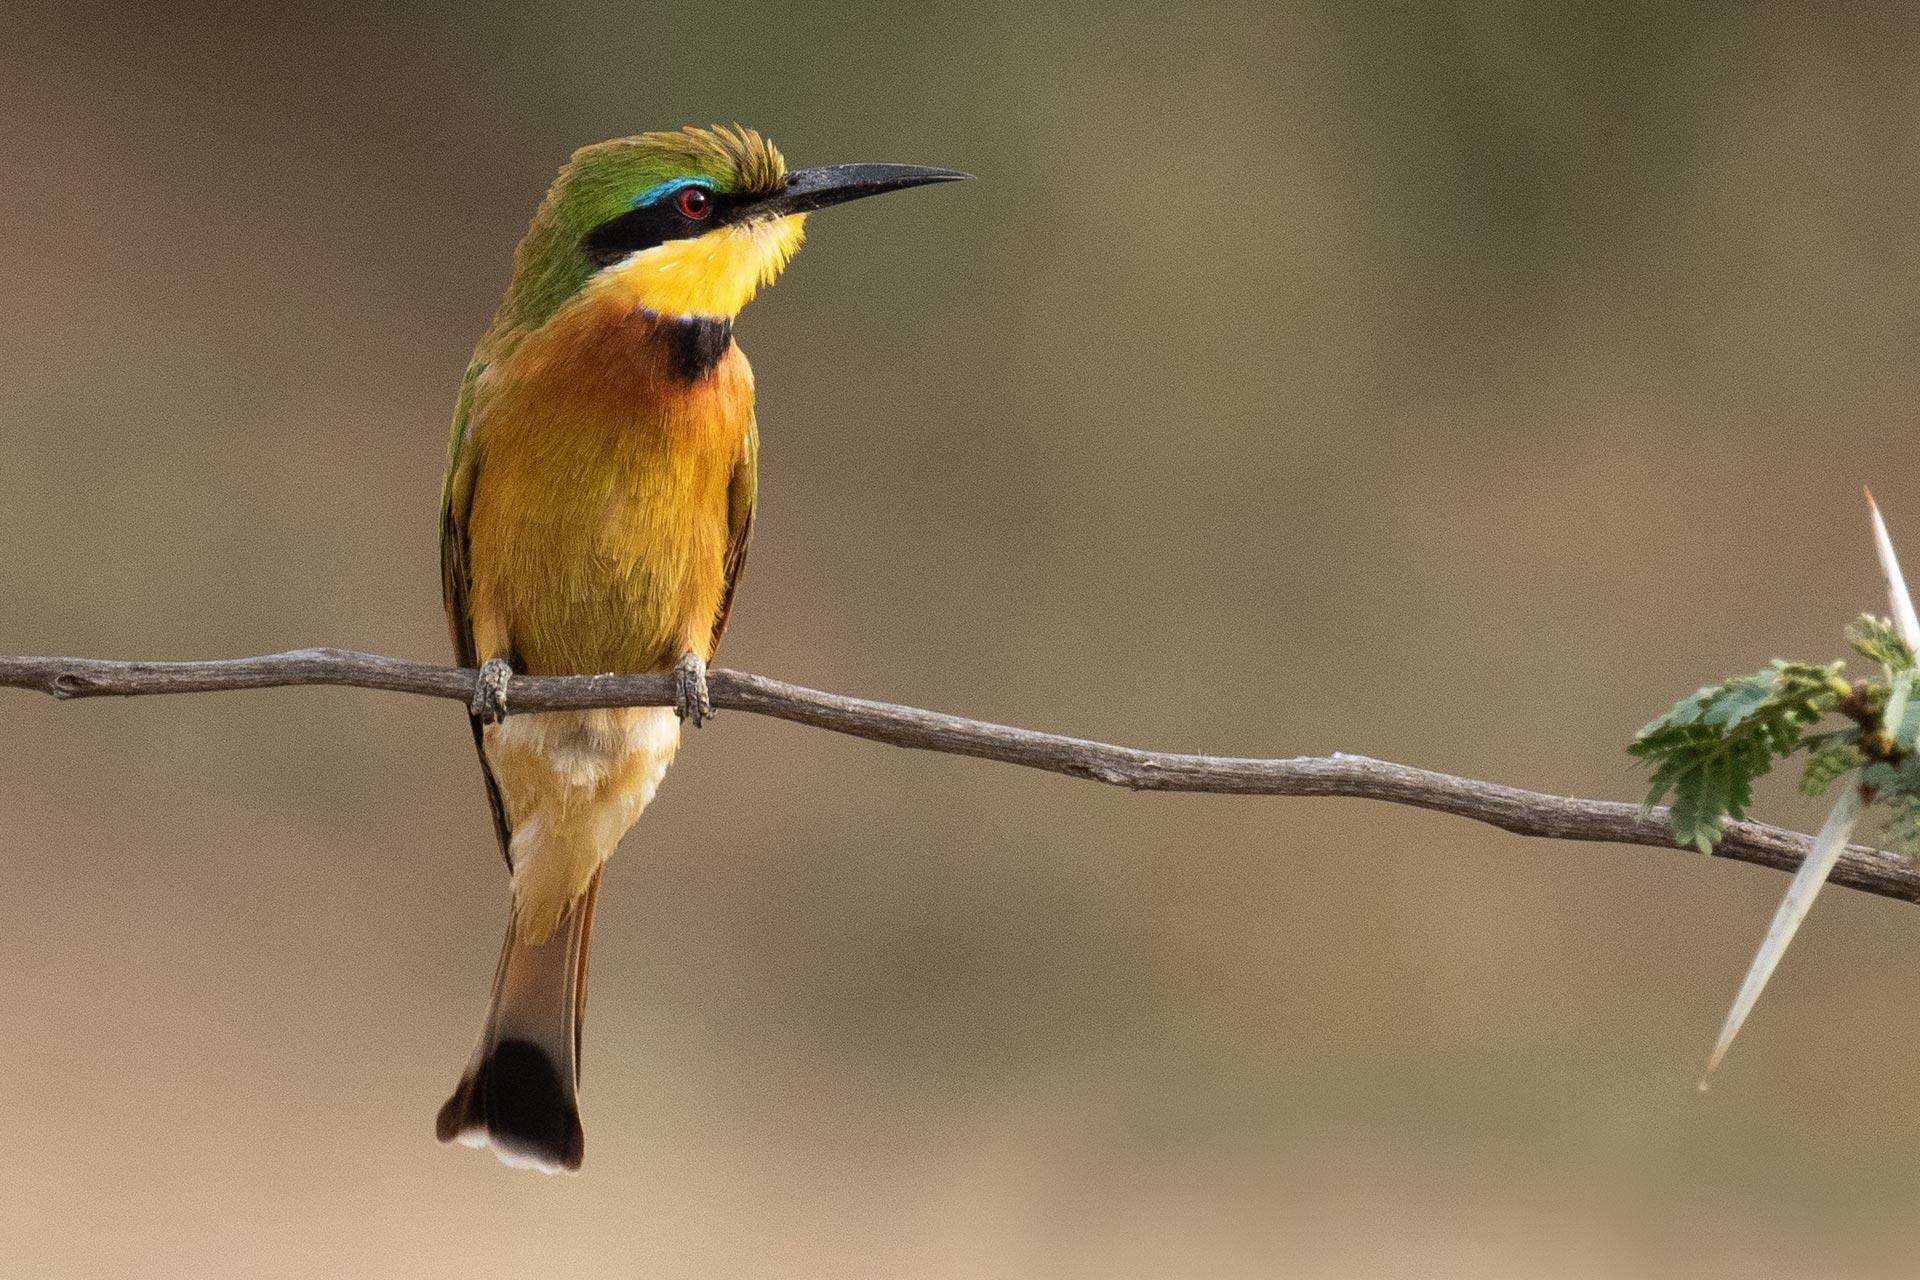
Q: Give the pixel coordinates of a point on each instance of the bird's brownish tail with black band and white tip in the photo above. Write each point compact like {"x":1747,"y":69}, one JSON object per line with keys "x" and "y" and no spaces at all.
{"x":519,"y":1093}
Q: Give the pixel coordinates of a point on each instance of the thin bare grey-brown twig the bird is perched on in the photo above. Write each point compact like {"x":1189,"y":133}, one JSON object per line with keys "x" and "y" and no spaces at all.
{"x":1510,"y":809}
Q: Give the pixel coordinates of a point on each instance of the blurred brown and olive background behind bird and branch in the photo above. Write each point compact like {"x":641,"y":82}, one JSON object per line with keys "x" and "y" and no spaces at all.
{"x":1456,"y":385}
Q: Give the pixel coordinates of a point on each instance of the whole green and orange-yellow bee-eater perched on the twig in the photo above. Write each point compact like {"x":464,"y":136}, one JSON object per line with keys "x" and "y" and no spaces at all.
{"x":596,"y":517}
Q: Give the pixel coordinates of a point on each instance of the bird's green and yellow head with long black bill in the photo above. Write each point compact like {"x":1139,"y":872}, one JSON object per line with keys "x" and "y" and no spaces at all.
{"x":686,"y":224}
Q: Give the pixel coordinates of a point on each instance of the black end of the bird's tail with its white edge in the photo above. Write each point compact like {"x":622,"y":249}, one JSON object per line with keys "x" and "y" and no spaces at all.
{"x":517,"y":1104}
